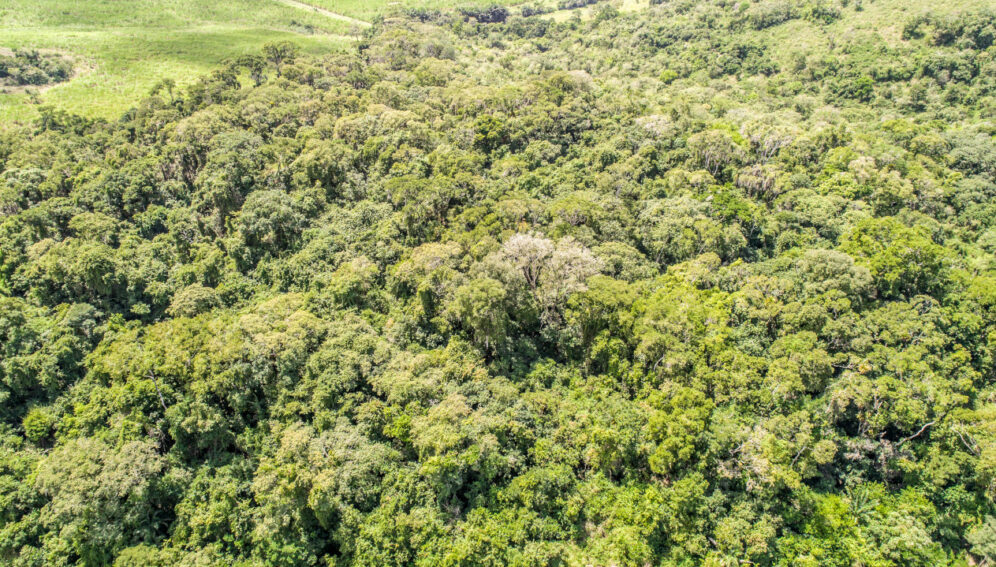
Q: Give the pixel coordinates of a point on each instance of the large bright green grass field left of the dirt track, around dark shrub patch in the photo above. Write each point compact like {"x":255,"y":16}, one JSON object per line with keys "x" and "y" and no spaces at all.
{"x":123,"y":47}
